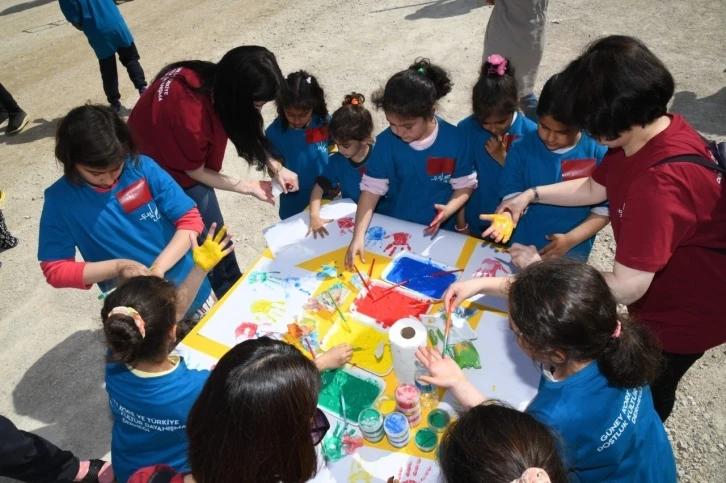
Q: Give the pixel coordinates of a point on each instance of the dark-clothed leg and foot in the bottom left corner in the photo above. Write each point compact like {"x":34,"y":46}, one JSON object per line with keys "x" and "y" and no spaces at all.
{"x":28,"y":457}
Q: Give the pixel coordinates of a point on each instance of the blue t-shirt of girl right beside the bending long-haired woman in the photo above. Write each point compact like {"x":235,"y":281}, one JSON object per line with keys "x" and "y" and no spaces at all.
{"x":303,"y":151}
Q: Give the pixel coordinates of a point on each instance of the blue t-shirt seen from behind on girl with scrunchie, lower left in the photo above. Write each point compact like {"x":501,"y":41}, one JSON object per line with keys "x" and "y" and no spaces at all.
{"x":150,"y":417}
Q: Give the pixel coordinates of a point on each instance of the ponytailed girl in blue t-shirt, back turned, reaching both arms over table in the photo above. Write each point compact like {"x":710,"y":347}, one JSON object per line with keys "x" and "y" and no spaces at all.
{"x":596,"y":367}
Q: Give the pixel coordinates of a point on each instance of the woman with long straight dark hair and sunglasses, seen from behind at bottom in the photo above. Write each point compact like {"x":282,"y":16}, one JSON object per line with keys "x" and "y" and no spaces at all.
{"x":256,"y":419}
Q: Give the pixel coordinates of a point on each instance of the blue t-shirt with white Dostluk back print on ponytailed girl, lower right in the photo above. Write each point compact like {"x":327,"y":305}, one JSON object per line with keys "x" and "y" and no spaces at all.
{"x":609,"y":434}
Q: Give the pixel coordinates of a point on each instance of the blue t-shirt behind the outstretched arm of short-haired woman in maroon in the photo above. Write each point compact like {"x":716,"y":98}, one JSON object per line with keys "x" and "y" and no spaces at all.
{"x":530,"y":163}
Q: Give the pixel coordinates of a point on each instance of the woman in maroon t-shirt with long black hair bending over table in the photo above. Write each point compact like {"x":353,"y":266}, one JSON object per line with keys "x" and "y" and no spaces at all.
{"x":183,"y":122}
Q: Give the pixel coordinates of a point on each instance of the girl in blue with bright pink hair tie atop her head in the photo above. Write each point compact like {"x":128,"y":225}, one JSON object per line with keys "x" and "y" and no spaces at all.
{"x":491,"y":131}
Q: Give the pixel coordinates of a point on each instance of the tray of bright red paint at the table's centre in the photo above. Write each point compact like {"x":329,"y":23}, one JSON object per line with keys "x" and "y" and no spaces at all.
{"x":389,"y":306}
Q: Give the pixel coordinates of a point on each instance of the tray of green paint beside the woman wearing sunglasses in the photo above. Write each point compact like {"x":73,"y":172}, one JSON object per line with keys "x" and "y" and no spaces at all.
{"x":358,"y":393}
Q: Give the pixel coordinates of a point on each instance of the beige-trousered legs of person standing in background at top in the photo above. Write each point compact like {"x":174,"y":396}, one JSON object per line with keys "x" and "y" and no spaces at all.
{"x":516,"y":30}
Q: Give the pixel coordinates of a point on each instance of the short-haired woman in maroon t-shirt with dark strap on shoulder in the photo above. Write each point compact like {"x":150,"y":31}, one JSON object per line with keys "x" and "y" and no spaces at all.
{"x":669,"y":220}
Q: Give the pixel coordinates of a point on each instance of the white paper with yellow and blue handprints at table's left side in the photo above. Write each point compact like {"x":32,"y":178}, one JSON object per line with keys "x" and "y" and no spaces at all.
{"x":271,"y":297}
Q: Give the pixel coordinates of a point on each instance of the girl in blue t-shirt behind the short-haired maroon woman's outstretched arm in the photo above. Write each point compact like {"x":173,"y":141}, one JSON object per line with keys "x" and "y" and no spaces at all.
{"x":555,"y":152}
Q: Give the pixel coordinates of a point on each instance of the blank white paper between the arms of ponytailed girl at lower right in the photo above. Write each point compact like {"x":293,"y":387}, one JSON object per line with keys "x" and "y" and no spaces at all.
{"x":506,"y":373}
